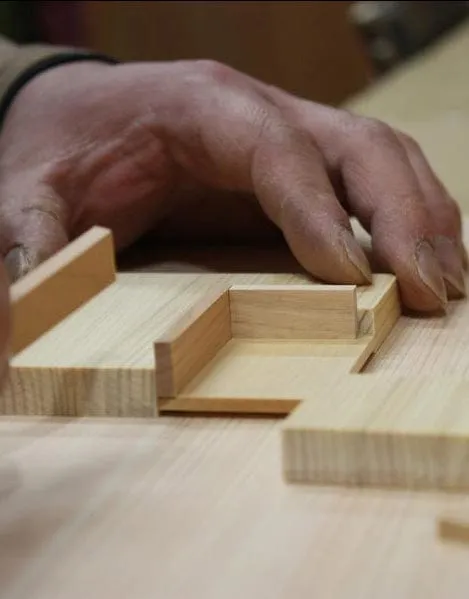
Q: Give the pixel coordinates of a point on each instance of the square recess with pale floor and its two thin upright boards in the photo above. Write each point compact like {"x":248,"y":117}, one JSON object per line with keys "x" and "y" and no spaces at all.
{"x":273,"y":332}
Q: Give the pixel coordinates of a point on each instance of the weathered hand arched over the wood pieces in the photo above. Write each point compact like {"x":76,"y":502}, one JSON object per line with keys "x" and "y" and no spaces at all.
{"x":137,"y":146}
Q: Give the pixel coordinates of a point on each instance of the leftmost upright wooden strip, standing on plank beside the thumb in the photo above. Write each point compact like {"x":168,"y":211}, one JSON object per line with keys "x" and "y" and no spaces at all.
{"x":60,"y":285}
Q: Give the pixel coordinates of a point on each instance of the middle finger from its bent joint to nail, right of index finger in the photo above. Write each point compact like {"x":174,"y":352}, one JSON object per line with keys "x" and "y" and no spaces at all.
{"x":385,"y":194}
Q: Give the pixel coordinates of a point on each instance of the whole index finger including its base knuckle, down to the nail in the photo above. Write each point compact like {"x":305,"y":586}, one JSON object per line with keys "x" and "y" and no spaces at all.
{"x":241,"y":142}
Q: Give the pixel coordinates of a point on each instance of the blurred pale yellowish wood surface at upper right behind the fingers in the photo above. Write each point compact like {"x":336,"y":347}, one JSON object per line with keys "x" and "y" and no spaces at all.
{"x":428,"y":98}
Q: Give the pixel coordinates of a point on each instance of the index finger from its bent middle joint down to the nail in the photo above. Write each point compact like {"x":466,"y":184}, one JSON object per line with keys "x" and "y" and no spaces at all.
{"x":291,"y":183}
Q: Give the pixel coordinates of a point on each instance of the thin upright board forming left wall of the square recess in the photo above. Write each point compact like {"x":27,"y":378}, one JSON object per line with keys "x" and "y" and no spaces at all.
{"x":191,"y":343}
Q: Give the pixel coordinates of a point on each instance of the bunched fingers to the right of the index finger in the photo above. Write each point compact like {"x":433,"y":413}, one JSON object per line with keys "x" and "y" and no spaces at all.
{"x":415,"y":225}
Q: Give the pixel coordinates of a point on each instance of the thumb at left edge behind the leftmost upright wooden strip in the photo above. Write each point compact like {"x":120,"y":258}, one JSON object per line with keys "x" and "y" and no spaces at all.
{"x":32,"y":229}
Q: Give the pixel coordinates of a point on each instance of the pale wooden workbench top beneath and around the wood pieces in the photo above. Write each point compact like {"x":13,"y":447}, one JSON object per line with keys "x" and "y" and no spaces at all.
{"x":193,"y":508}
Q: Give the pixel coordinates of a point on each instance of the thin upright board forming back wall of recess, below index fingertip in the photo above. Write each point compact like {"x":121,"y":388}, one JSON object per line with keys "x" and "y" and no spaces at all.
{"x":294,"y":312}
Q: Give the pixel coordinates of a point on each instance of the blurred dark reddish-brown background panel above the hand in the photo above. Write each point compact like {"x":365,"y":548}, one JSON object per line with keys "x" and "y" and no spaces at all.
{"x":308,"y":48}
